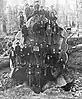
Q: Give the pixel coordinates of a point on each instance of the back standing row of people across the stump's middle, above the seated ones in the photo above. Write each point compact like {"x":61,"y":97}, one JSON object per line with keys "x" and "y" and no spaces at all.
{"x":33,"y":54}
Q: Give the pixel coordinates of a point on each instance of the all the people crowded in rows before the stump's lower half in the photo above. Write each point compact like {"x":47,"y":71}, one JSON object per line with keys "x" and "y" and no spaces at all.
{"x":38,"y":61}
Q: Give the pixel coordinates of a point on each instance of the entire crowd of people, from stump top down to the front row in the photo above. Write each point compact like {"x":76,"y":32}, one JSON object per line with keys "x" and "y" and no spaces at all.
{"x":43,"y":56}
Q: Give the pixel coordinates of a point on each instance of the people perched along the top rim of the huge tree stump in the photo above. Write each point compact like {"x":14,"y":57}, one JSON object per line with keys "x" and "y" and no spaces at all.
{"x":38,"y":11}
